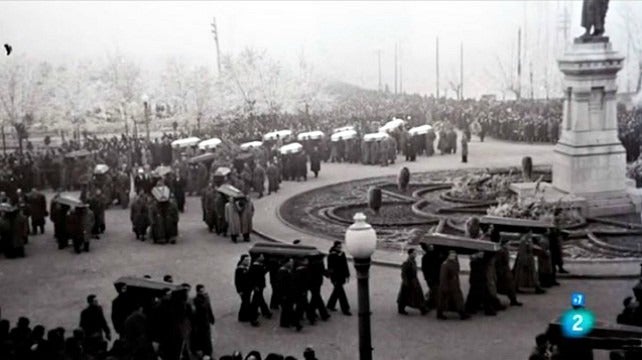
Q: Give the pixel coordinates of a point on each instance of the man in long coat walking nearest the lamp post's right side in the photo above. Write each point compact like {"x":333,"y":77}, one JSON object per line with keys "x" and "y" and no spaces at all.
{"x":410,"y":293}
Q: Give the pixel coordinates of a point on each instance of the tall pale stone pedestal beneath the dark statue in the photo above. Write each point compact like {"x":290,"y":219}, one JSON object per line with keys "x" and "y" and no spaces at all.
{"x":589,"y":160}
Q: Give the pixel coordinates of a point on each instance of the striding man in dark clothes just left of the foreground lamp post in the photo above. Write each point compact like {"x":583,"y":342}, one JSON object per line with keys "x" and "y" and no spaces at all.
{"x":339,"y":274}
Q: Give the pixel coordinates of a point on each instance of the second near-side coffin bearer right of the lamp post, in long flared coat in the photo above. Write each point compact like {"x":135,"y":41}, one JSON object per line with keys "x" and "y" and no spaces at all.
{"x":450,"y":295}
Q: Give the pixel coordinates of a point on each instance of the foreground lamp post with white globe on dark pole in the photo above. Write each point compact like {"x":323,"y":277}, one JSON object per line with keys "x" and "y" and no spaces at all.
{"x":361,"y":242}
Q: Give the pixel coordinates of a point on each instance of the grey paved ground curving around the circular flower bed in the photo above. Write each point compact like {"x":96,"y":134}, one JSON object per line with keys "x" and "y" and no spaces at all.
{"x":50,"y":285}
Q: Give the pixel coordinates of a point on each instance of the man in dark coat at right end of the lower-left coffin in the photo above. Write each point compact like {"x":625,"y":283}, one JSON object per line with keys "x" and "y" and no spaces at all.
{"x":202,"y":322}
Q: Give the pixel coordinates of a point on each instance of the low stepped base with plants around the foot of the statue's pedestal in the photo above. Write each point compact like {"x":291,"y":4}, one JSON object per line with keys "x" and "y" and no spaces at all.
{"x":589,"y":205}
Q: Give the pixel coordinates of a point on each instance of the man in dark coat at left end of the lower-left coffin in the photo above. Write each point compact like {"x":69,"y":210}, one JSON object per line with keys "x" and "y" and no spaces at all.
{"x":93,"y":323}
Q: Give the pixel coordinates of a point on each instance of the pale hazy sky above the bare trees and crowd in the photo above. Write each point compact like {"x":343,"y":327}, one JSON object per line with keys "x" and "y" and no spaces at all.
{"x":339,"y":38}
